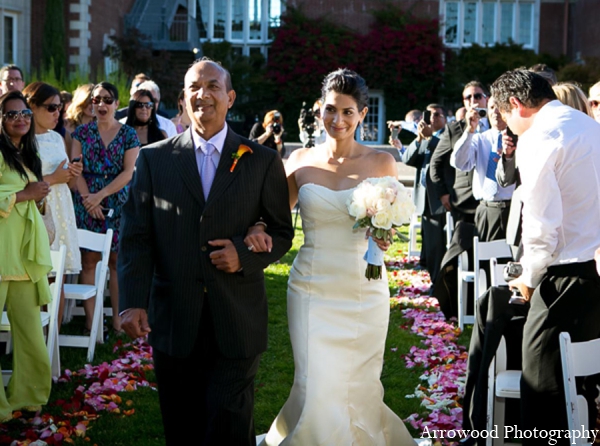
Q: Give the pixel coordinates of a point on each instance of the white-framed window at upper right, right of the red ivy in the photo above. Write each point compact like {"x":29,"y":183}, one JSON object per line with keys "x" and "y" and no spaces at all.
{"x":487,"y":22}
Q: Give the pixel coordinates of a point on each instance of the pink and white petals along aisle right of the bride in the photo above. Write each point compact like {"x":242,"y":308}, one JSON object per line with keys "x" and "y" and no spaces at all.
{"x":444,"y":361}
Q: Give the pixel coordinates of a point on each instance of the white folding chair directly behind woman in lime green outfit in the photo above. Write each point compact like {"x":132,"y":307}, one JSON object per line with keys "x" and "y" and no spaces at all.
{"x":48,"y":317}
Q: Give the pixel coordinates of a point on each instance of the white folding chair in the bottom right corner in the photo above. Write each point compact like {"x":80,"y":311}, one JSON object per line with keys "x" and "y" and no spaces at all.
{"x":578,"y":359}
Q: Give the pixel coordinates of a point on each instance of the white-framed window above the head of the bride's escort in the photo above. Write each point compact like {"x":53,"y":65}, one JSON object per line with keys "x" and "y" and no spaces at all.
{"x":247,"y":24}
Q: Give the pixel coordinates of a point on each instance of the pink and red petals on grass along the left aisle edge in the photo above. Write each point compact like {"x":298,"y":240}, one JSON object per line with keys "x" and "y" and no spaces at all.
{"x":96,"y":392}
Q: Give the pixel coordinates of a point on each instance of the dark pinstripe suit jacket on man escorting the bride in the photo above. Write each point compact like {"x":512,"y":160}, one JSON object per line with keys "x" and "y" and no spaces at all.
{"x":164,"y":263}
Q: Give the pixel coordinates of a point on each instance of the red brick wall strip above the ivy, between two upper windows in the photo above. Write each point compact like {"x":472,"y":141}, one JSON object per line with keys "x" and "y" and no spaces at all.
{"x":355,"y":13}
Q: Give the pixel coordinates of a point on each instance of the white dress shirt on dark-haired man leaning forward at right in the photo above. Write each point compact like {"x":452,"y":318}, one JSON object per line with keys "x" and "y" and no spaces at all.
{"x":559,"y":162}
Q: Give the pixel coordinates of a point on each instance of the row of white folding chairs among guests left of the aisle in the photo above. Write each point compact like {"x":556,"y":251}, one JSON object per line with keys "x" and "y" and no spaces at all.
{"x":73,"y":292}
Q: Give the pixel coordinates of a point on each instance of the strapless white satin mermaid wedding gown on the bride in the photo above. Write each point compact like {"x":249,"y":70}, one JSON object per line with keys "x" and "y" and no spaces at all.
{"x":338,"y":323}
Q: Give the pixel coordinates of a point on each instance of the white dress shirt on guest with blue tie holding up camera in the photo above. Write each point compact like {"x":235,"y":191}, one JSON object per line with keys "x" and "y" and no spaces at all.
{"x":472,"y":151}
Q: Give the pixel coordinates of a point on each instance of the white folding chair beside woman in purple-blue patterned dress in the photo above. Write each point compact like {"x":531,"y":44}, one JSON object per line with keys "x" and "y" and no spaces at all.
{"x":99,"y":243}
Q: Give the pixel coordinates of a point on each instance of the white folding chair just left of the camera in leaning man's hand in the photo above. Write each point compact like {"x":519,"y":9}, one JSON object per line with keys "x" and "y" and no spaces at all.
{"x":481,"y":251}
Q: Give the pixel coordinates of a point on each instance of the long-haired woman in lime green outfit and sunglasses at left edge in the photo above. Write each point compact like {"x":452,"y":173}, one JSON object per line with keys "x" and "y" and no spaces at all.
{"x":25,"y":259}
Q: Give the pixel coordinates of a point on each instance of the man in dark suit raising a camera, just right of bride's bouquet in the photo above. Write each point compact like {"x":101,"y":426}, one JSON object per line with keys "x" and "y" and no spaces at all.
{"x":427,"y":202}
